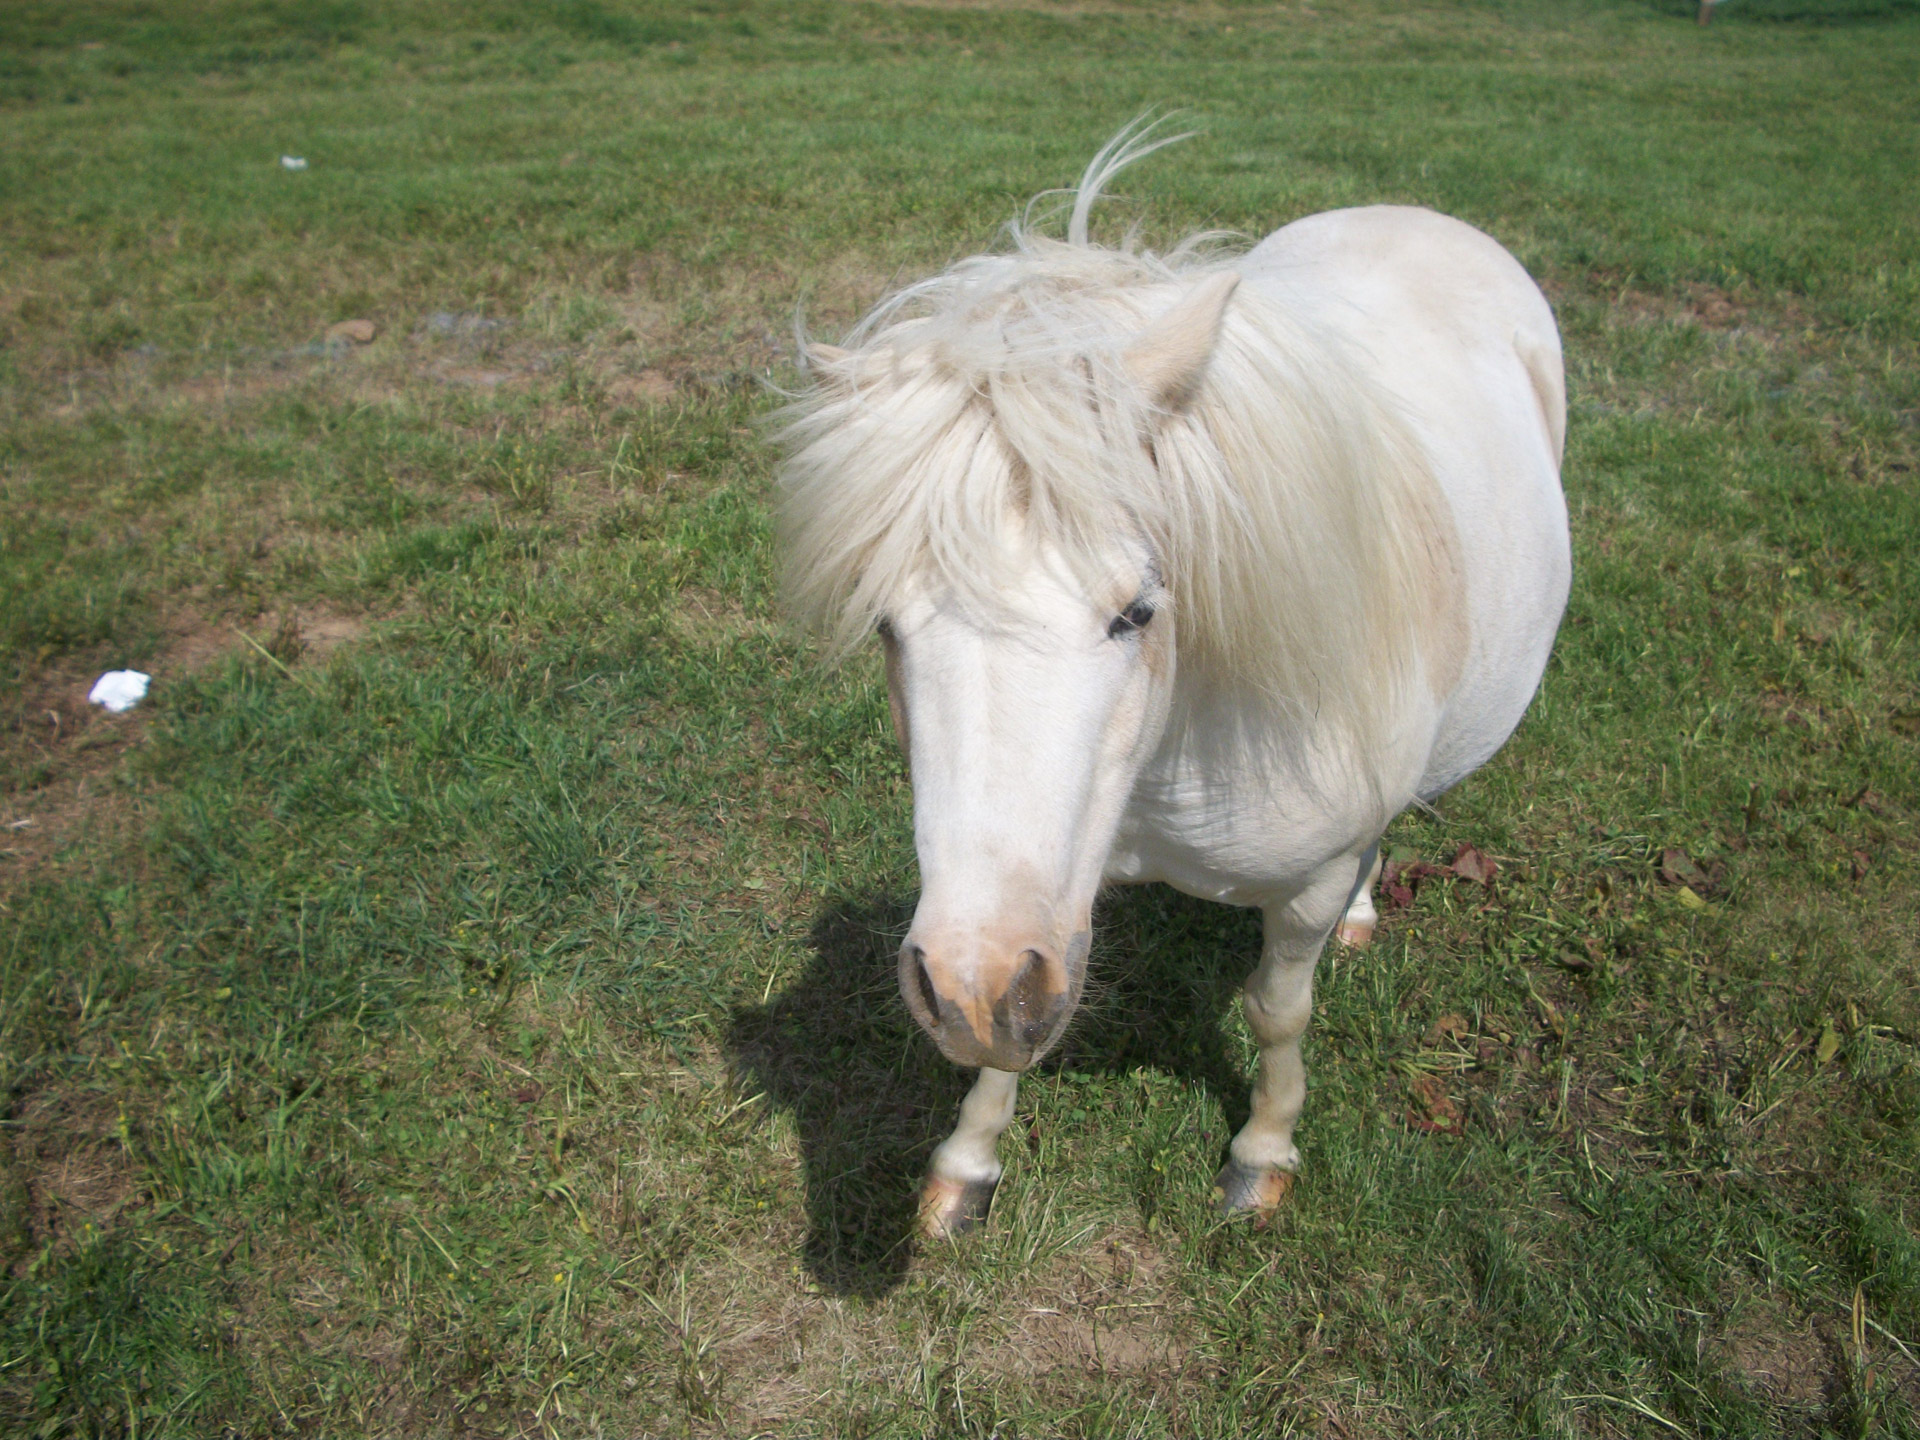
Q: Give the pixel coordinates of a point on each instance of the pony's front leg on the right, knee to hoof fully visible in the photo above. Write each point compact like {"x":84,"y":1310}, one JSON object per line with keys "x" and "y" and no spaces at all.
{"x":1280,"y":1003}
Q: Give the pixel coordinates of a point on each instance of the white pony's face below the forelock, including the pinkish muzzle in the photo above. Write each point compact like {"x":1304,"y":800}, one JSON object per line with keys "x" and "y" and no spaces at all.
{"x":1024,"y":729}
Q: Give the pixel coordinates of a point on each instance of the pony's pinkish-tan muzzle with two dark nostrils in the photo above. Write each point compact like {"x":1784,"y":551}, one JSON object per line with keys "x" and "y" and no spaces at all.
{"x":1001,"y":1011}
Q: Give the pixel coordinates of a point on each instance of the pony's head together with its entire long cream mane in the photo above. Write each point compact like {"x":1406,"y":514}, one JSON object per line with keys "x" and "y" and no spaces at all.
{"x":1047,"y":479}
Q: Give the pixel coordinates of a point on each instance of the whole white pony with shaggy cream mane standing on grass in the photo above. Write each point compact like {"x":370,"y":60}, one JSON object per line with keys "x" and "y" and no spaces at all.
{"x":1189,"y":569}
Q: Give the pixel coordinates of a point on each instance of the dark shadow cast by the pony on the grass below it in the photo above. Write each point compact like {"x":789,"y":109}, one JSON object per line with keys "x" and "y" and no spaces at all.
{"x":873,"y":1097}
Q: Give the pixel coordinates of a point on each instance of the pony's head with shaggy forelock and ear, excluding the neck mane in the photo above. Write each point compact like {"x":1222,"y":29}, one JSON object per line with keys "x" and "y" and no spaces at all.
{"x":1026,"y":617}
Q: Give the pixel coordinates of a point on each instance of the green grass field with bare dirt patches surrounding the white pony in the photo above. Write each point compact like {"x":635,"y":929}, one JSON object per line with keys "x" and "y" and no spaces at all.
{"x":462,"y":1001}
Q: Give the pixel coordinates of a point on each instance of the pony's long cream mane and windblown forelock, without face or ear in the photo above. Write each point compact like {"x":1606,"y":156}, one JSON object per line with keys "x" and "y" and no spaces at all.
{"x":1285,"y":506}
